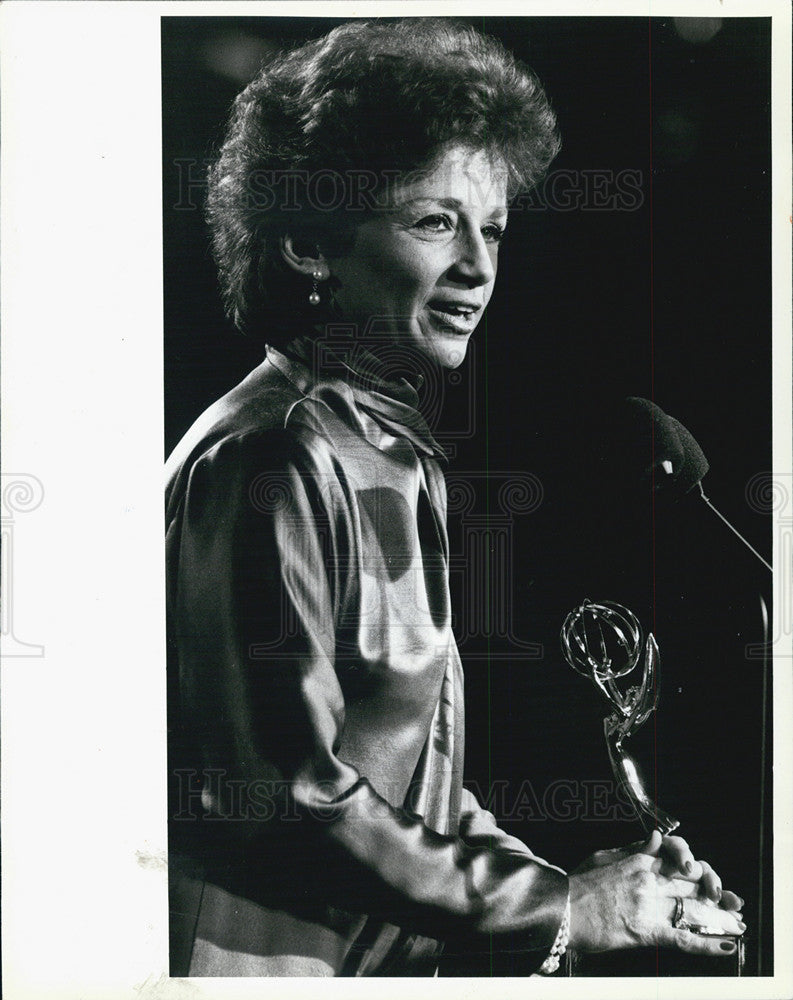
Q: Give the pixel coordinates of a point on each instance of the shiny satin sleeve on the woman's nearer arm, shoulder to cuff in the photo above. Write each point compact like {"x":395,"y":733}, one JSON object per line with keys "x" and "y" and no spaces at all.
{"x":265,"y":555}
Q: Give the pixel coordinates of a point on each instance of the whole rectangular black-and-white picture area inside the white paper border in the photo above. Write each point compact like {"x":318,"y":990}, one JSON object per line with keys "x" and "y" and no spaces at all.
{"x":431,"y":465}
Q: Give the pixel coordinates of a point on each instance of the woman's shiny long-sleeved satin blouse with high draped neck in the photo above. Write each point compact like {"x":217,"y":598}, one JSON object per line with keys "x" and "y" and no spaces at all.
{"x":318,"y":822}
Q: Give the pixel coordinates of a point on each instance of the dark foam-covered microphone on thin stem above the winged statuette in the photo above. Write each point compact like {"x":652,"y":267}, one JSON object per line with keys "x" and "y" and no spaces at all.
{"x":666,"y":454}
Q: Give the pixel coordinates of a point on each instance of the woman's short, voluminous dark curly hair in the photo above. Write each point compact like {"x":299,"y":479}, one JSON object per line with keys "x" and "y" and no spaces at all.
{"x":316,"y":136}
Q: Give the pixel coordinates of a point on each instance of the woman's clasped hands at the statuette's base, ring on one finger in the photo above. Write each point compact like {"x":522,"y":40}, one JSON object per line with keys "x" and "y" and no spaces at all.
{"x":626,"y":898}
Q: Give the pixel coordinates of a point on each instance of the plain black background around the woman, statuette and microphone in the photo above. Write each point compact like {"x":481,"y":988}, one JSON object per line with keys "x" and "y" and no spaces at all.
{"x":597,"y":299}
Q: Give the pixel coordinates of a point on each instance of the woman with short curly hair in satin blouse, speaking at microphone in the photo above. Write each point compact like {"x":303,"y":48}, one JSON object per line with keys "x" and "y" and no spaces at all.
{"x":318,"y":820}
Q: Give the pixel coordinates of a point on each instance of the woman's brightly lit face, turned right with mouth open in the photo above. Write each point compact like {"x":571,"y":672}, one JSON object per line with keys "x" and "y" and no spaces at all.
{"x":424,"y":266}
